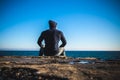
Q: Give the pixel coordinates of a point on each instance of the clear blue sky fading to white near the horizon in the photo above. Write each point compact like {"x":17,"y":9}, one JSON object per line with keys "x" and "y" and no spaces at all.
{"x":86,"y":24}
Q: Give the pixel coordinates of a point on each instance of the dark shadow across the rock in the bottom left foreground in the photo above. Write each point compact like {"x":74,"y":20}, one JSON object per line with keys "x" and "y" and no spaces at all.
{"x":21,"y":73}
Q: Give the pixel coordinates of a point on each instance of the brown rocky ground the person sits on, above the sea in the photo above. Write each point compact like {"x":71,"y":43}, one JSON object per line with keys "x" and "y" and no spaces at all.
{"x":57,"y":68}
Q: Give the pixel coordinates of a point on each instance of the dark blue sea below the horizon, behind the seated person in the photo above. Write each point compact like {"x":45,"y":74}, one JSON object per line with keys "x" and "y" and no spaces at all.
{"x":112,"y":55}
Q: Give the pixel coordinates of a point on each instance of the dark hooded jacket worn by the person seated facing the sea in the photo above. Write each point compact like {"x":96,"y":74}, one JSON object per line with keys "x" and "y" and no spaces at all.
{"x":51,"y":37}
